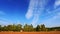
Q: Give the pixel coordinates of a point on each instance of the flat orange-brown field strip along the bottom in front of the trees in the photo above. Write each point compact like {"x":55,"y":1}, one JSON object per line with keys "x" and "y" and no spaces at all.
{"x":53,"y":32}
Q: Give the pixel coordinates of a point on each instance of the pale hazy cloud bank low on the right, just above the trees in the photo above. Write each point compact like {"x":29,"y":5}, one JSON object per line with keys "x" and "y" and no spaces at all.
{"x":53,"y":21}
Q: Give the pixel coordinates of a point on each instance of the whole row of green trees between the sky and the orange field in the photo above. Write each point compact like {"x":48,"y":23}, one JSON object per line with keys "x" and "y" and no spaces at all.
{"x":27,"y":28}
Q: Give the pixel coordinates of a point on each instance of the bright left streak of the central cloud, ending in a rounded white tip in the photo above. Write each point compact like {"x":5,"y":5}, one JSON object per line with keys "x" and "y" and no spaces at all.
{"x":29,"y":13}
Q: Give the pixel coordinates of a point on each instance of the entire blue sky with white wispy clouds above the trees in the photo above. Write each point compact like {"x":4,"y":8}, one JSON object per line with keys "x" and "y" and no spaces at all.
{"x":30,"y":12}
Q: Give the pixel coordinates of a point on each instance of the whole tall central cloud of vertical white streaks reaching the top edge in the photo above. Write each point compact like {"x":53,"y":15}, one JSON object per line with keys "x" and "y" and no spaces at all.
{"x":35,"y":9}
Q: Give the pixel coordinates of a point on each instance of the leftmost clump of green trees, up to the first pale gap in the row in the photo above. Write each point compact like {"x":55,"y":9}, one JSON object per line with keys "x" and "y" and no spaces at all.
{"x":11,"y":27}
